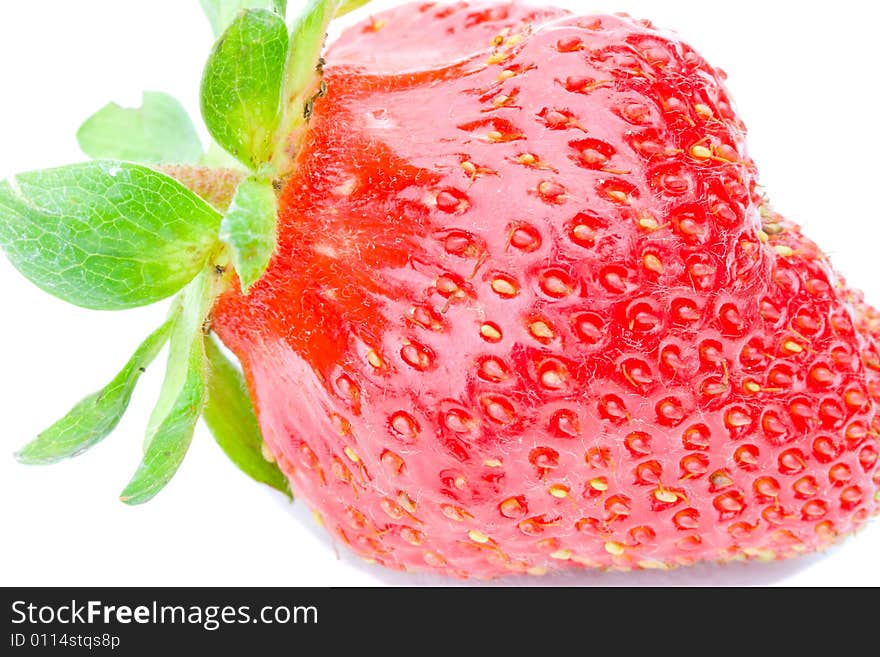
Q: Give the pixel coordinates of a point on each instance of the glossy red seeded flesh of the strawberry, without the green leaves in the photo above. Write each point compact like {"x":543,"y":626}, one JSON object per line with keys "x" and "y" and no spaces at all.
{"x":530,"y":310}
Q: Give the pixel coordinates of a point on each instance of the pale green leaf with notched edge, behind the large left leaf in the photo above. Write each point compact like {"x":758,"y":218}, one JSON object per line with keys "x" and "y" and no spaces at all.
{"x":158,"y":132}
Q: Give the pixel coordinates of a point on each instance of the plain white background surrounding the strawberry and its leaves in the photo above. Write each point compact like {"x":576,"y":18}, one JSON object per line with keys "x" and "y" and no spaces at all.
{"x":804,"y":78}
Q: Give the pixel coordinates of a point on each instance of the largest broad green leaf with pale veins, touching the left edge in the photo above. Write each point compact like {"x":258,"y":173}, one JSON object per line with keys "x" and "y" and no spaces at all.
{"x":105,"y":235}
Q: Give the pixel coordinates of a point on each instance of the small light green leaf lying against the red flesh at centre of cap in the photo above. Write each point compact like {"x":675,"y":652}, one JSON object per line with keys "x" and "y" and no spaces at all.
{"x":249,"y":229}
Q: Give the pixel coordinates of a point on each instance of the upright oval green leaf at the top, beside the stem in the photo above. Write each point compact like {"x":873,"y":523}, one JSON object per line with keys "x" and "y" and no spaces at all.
{"x":241,"y":86}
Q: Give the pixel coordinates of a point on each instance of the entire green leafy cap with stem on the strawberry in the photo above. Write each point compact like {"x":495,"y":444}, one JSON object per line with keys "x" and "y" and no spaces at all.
{"x":155,"y":215}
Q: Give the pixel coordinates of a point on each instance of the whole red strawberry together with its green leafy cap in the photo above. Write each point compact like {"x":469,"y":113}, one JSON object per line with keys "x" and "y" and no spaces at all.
{"x":524,"y":307}
